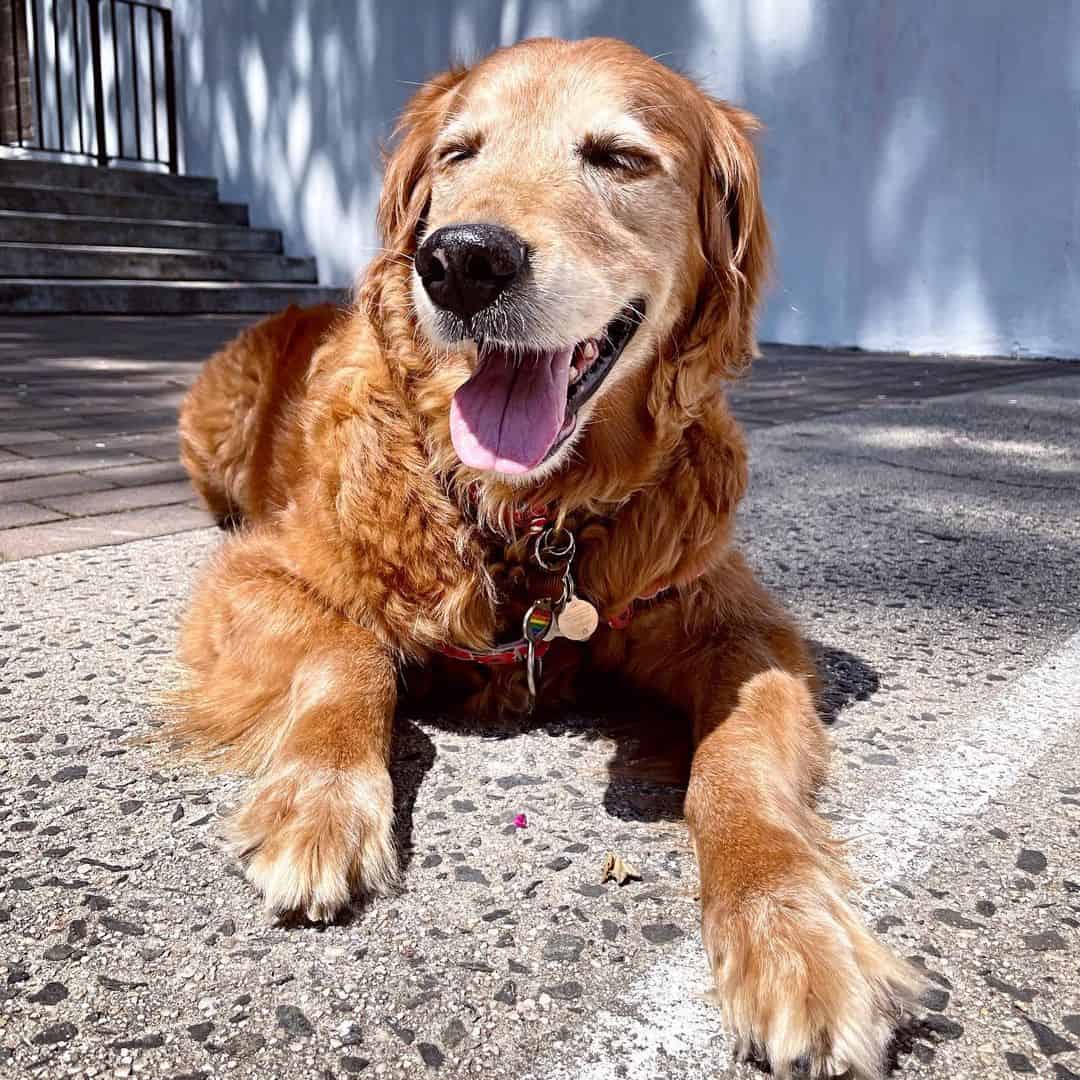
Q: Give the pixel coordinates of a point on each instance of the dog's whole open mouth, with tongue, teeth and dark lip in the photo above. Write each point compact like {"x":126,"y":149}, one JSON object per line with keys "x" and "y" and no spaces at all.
{"x":522,"y":404}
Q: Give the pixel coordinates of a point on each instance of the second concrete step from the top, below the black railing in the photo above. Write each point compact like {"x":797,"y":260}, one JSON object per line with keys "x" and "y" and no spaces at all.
{"x":106,"y":205}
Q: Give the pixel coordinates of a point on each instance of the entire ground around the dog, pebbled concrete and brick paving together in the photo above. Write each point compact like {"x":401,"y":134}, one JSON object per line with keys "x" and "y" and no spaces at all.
{"x":919,"y":516}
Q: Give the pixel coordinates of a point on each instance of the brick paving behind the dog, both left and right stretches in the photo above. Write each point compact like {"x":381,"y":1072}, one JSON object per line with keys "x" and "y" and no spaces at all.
{"x":88,"y":417}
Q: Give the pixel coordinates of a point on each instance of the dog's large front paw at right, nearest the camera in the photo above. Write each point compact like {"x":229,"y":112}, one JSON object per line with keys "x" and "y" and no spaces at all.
{"x":803,"y":982}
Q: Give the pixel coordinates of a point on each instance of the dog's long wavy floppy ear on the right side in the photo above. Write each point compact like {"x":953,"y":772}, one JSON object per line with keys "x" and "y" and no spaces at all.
{"x":735,"y":239}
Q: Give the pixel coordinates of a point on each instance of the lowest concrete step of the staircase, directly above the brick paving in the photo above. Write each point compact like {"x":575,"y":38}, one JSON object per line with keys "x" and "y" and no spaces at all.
{"x":26,"y":296}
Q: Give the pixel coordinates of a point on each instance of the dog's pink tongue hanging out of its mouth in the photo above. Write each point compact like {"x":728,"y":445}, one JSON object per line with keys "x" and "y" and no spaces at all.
{"x":508,"y":416}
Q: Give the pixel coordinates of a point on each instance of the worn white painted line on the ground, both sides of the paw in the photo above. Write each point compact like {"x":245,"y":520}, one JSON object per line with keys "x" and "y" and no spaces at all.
{"x":984,"y":757}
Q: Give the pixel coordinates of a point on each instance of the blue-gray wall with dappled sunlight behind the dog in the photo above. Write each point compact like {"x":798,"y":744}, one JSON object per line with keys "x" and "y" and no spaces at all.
{"x":922,"y":160}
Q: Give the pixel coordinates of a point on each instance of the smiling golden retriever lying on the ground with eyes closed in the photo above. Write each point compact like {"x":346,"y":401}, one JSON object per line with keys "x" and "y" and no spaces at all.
{"x":575,"y":246}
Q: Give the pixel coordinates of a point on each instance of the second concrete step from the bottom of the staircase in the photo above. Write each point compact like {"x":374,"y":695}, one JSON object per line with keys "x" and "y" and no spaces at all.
{"x":148,"y":264}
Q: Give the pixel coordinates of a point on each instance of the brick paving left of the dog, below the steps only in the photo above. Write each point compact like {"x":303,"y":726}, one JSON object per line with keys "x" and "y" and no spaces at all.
{"x":88,"y":429}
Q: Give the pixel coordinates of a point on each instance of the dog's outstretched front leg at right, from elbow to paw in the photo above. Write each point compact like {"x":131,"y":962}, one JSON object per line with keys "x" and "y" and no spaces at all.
{"x":798,"y":974}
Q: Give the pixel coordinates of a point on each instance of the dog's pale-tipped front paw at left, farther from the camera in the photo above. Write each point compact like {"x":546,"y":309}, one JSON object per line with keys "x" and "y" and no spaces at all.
{"x":312,"y":839}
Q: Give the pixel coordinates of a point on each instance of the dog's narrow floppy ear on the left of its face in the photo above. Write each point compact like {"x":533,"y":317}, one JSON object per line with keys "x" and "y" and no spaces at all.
{"x":407,"y":184}
